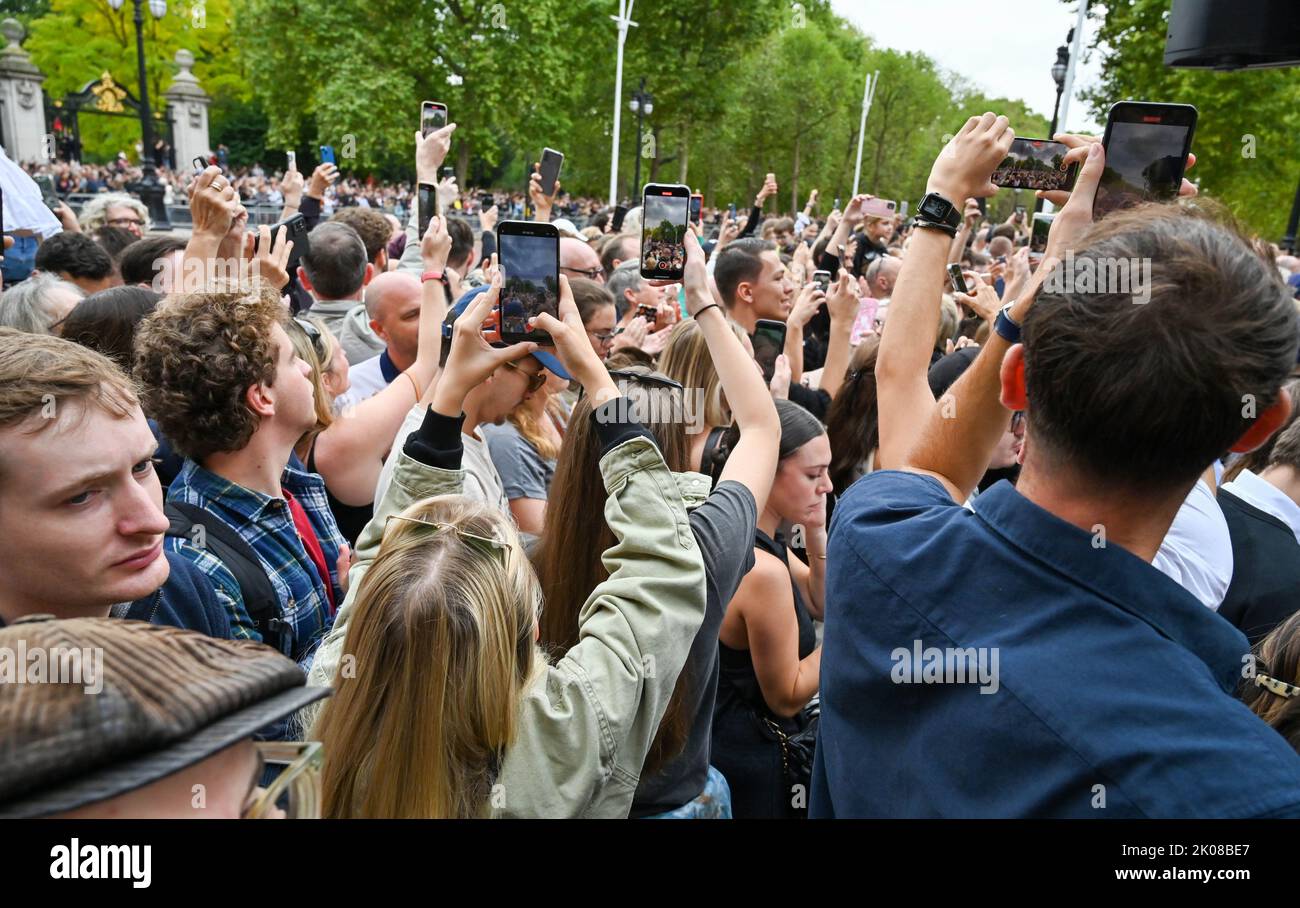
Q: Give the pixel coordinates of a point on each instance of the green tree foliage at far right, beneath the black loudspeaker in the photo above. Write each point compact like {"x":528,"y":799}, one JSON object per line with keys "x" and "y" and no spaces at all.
{"x":1245,"y":140}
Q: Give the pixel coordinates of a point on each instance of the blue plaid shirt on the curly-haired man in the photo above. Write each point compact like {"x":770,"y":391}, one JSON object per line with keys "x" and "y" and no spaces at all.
{"x":268,"y":527}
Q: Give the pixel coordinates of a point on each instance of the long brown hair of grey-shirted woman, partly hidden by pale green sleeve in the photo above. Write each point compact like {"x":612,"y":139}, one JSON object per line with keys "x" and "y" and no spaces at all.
{"x":575,"y":537}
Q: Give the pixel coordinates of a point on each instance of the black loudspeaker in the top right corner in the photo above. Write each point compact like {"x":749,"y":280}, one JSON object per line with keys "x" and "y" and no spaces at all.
{"x":1233,"y":34}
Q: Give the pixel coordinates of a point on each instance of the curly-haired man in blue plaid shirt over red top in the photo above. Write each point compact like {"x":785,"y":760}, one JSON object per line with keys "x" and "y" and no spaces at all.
{"x":228,"y":391}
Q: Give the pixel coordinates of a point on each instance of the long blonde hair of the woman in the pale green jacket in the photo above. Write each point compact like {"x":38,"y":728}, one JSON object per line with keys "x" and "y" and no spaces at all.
{"x":437,"y":659}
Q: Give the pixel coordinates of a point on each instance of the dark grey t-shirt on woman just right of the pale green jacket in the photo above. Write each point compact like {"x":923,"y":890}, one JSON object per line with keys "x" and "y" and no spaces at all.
{"x":725,"y":530}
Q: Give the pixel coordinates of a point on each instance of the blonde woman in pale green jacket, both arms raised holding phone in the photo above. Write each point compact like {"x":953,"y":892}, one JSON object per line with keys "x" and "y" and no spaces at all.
{"x":444,"y":704}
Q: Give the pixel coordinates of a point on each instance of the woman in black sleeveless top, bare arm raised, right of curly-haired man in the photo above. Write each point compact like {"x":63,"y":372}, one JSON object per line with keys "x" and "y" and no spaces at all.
{"x":348,"y":449}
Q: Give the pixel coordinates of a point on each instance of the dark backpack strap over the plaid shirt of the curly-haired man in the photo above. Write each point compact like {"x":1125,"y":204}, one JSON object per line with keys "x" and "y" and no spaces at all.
{"x":231,"y":550}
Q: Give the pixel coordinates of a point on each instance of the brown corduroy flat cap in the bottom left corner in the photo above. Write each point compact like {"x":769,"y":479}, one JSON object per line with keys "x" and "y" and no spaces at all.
{"x":157,"y":701}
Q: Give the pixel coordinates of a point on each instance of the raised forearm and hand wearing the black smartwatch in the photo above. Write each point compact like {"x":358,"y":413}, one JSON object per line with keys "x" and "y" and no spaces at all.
{"x":961,"y":171}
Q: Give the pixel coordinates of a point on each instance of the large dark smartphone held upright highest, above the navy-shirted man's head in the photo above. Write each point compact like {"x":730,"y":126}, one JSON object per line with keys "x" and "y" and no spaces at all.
{"x":1147,"y":148}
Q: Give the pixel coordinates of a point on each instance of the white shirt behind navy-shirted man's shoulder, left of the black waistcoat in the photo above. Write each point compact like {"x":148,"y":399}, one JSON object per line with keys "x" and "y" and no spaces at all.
{"x":1198,"y":551}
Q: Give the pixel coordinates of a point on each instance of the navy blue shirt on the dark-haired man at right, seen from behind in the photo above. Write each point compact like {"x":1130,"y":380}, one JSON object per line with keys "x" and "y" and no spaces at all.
{"x":1115,"y":686}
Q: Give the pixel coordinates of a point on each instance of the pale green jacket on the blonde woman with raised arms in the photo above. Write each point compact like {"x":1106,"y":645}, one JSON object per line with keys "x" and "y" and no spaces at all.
{"x":591,"y":719}
